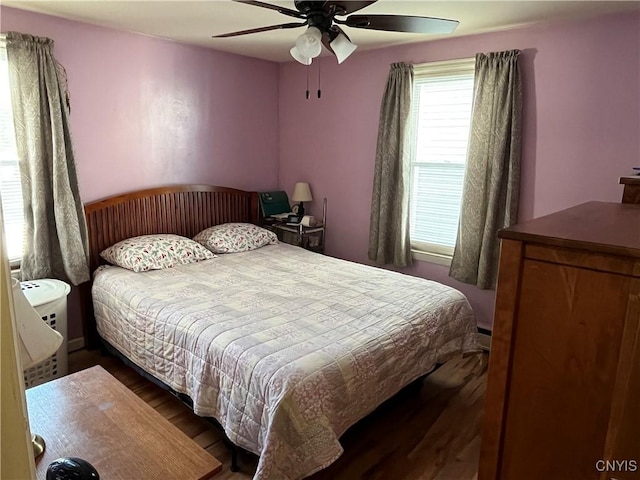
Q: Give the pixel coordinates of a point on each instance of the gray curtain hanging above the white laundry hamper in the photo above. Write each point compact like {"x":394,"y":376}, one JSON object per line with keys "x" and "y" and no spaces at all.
{"x":55,"y":230}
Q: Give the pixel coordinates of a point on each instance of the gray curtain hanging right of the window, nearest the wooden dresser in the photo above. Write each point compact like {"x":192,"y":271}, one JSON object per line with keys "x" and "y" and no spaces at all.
{"x":492,"y":180}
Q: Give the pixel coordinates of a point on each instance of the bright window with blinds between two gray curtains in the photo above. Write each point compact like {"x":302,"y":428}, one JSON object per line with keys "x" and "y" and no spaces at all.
{"x":441,"y":117}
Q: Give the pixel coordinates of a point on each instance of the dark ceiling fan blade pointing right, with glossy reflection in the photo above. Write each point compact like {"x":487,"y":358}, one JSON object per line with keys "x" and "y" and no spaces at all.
{"x":402,"y":23}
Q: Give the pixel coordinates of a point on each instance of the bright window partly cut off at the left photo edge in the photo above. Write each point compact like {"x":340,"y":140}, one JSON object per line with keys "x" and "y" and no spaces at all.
{"x":10,"y":186}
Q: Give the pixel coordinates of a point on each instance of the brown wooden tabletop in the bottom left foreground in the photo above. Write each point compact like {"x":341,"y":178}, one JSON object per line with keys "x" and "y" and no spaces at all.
{"x":91,"y":415}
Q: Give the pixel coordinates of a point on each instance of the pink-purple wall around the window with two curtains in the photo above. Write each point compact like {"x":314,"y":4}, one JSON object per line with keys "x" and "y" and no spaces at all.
{"x":581,"y":125}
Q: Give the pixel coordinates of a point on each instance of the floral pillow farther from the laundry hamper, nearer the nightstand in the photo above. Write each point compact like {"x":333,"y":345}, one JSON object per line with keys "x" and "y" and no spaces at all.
{"x":235,"y":237}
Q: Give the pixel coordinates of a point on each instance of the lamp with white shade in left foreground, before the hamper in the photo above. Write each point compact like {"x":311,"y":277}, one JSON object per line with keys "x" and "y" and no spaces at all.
{"x":36,"y":342}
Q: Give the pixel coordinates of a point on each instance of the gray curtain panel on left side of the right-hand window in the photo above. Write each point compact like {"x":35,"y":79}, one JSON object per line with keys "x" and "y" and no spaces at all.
{"x":389,"y":223}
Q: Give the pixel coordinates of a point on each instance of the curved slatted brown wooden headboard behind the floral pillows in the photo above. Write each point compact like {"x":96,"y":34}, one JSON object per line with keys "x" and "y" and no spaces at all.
{"x":181,"y":209}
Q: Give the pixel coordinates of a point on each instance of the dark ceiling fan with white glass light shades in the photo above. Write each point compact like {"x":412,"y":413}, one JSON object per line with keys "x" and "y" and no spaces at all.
{"x":323,"y":26}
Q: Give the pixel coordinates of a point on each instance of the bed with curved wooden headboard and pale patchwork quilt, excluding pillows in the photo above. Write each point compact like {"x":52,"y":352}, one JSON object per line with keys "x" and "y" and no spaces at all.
{"x":285,"y":348}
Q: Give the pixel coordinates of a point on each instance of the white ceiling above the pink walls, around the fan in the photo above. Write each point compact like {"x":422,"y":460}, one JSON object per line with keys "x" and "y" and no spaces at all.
{"x":194,"y":22}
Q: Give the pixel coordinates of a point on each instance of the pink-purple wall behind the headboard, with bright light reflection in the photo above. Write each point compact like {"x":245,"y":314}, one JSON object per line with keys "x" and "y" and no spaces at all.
{"x":147,"y":112}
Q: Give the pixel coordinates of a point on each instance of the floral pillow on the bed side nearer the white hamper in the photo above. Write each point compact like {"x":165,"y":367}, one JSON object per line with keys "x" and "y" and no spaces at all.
{"x":155,"y":252}
